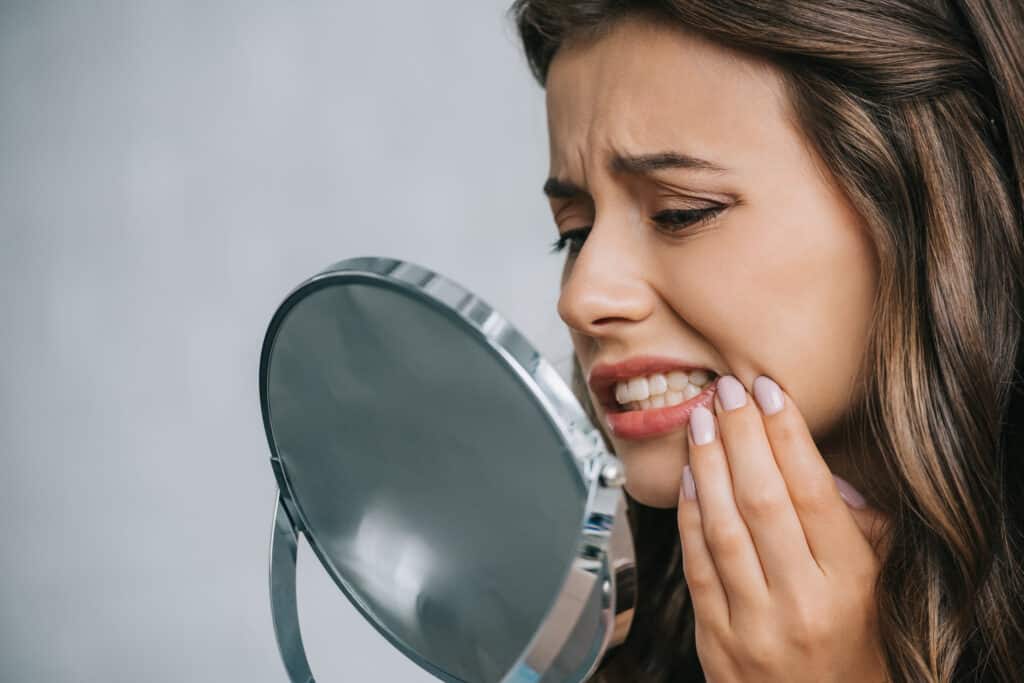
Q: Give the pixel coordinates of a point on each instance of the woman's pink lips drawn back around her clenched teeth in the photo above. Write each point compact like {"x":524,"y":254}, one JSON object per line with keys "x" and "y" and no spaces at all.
{"x":652,"y":422}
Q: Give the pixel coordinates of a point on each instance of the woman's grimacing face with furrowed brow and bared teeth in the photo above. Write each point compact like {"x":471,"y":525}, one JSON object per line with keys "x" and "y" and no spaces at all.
{"x":760,"y":268}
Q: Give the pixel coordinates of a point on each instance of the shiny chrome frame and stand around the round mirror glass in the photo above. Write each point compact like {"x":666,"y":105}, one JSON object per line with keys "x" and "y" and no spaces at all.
{"x":595,"y":606}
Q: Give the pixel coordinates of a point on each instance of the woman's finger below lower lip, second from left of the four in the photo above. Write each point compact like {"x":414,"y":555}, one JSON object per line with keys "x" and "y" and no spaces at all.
{"x":726,"y":534}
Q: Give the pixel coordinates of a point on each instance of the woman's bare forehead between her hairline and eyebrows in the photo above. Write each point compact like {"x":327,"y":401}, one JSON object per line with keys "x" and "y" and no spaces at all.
{"x":644,"y":88}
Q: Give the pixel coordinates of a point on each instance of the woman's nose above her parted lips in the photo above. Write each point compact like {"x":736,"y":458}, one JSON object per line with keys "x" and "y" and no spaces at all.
{"x":605,"y":287}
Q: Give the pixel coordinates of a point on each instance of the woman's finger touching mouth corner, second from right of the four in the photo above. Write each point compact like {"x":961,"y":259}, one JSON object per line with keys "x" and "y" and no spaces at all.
{"x":760,"y":491}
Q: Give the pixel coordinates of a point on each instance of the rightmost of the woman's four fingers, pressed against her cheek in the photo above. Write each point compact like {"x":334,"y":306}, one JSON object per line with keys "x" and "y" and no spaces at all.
{"x":833,"y":535}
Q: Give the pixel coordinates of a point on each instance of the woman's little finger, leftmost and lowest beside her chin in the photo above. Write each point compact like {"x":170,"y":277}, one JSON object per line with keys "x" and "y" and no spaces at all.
{"x":710,"y":603}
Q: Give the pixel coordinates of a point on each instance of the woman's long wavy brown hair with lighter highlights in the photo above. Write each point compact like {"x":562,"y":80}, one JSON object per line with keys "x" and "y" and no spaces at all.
{"x":918,"y":109}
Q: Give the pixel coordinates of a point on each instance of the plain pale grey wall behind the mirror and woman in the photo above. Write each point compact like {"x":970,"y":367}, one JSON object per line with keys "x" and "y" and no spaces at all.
{"x":168,"y":173}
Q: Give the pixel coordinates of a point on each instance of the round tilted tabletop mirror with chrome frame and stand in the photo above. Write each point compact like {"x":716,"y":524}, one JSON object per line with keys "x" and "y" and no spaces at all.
{"x":446,"y":478}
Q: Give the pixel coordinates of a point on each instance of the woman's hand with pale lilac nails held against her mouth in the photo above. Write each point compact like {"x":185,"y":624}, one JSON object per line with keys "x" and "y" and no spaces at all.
{"x":781,"y":569}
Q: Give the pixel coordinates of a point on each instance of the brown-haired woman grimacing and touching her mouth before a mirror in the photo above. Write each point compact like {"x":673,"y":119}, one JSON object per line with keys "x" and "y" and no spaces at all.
{"x":793,"y":284}
